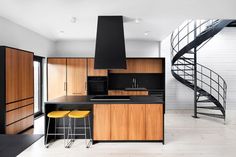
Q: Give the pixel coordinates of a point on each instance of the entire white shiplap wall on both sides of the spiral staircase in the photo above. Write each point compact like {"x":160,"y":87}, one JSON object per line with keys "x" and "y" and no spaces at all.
{"x":219,"y":54}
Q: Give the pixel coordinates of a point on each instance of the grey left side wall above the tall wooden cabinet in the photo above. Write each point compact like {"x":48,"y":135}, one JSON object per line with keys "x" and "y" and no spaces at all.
{"x":16,"y":36}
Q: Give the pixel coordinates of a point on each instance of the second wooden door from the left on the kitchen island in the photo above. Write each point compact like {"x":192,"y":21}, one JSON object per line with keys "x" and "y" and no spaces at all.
{"x":119,"y":122}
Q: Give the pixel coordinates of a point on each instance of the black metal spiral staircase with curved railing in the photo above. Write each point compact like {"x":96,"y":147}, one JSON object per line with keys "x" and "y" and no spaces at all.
{"x":209,"y":87}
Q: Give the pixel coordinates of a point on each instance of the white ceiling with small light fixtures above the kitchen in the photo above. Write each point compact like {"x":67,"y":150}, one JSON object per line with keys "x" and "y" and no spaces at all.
{"x":159,"y":17}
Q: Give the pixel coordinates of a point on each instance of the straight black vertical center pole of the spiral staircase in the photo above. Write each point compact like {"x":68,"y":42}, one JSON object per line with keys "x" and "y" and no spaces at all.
{"x":195,"y":72}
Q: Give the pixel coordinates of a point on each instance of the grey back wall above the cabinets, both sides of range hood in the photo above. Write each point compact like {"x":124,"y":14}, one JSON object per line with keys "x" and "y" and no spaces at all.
{"x":86,"y":48}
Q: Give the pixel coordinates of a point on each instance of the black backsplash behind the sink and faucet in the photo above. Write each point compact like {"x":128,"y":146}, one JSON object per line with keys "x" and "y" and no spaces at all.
{"x":149,"y":81}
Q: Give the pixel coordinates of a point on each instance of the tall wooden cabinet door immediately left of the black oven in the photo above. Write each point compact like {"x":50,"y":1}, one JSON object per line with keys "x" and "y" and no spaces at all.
{"x":76,"y":76}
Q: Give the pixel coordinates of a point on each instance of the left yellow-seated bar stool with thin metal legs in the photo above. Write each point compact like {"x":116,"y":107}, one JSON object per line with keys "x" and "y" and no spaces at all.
{"x":57,"y":115}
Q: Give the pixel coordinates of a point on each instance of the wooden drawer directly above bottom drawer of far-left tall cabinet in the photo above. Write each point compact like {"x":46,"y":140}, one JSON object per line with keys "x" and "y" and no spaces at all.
{"x":15,"y":115}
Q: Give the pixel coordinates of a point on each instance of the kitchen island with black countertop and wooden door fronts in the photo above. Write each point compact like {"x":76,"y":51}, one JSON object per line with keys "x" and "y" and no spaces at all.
{"x":137,"y":119}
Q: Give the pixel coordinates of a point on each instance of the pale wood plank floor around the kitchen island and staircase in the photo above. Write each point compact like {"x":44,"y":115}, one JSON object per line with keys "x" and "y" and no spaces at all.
{"x":185,"y":137}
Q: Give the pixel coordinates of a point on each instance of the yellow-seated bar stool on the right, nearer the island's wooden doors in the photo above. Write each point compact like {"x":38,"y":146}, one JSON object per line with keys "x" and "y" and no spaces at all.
{"x":79,"y":115}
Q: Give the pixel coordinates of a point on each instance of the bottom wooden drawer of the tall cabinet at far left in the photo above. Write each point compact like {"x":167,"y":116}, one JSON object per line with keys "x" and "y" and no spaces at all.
{"x":20,"y":125}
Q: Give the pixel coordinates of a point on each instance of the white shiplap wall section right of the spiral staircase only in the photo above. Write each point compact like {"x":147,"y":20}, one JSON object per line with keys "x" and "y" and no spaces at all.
{"x":220,"y":55}
